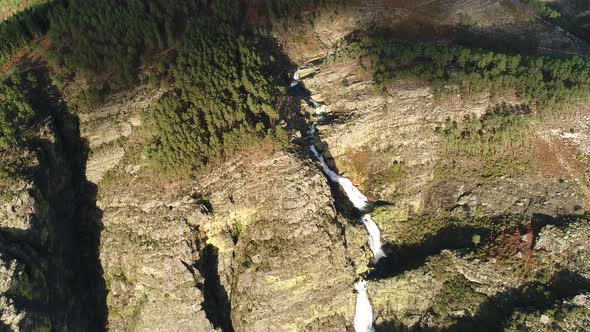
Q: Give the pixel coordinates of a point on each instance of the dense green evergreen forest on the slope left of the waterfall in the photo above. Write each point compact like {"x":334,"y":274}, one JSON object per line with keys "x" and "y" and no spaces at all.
{"x":223,"y":92}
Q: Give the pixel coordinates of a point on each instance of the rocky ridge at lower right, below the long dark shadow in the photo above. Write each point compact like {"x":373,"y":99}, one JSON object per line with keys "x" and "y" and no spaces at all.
{"x":459,"y":291}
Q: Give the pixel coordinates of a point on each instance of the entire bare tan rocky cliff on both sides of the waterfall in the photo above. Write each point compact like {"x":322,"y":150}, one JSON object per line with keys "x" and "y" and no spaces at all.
{"x":262,"y":241}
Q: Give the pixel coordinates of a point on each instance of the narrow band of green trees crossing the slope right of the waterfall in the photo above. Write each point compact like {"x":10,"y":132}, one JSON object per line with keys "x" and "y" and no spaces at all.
{"x":543,"y":81}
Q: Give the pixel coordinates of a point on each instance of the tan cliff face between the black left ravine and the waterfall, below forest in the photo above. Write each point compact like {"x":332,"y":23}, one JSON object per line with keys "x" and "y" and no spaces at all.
{"x":245,"y":249}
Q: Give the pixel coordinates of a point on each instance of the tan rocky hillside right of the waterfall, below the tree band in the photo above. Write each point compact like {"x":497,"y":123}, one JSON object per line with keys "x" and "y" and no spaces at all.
{"x":385,"y":141}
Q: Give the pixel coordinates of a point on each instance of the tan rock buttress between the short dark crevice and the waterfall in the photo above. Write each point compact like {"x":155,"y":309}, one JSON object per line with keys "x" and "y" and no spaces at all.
{"x":282,"y":256}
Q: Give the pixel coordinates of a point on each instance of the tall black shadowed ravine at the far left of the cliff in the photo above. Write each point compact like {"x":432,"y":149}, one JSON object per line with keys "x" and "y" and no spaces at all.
{"x":77,"y":224}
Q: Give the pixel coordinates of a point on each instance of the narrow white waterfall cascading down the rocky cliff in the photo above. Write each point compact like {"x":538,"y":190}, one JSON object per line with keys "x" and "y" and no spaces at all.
{"x":363,"y":317}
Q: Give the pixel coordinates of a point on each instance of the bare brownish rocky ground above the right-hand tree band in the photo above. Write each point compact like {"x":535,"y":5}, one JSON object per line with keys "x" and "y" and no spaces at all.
{"x":323,"y":30}
